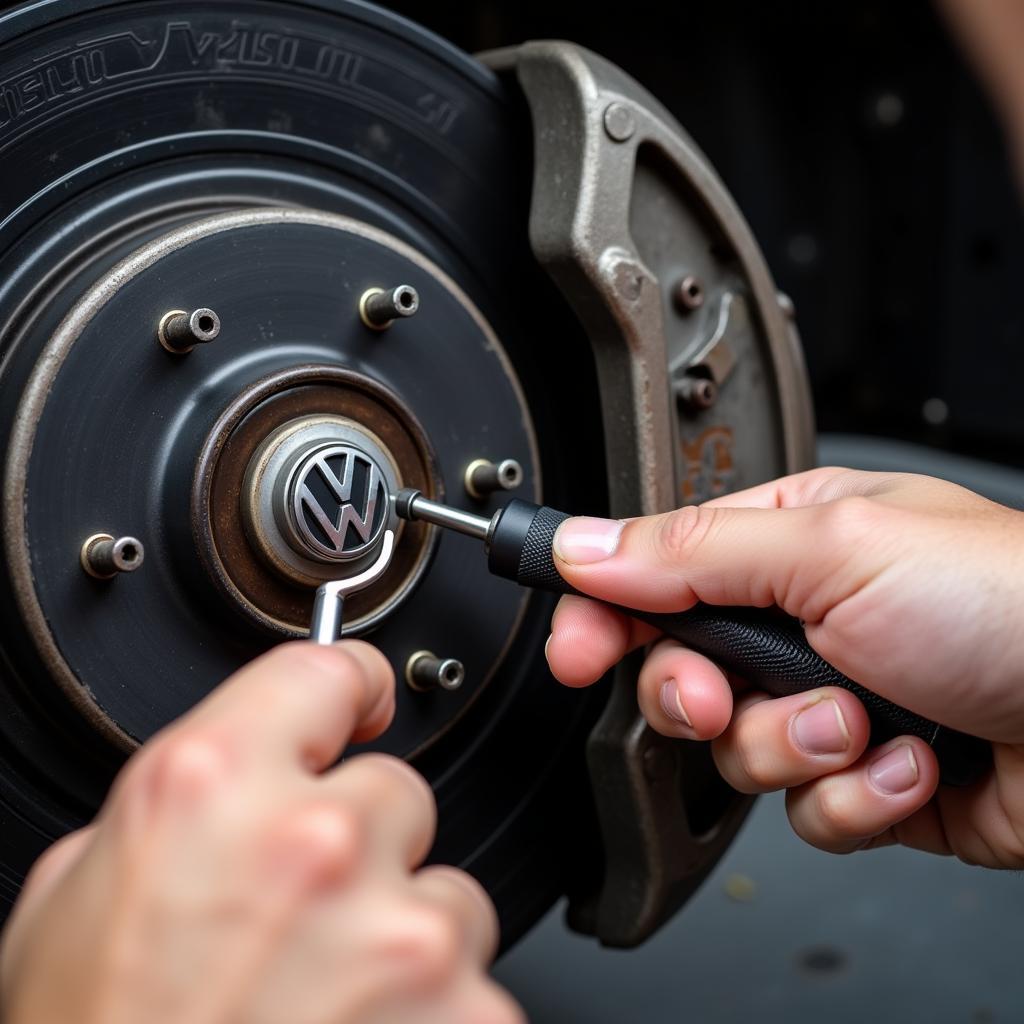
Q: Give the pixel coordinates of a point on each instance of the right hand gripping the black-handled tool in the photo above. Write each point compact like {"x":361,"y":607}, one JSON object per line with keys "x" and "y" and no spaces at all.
{"x":911,"y":586}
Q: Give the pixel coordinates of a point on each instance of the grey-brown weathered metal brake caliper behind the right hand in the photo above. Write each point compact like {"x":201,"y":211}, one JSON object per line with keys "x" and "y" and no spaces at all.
{"x":625,"y":209}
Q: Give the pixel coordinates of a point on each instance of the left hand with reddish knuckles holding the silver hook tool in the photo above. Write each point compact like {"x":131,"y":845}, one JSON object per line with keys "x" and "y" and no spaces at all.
{"x":234,"y":875}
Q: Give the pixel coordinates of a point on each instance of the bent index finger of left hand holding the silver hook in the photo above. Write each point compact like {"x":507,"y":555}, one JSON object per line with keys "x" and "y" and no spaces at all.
{"x":302,"y":702}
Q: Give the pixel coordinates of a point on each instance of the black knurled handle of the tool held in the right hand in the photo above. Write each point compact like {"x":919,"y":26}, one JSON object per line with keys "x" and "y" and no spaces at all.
{"x":766,"y":648}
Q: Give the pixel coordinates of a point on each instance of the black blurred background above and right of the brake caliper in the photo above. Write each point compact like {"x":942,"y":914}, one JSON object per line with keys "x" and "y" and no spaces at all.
{"x":871,"y":165}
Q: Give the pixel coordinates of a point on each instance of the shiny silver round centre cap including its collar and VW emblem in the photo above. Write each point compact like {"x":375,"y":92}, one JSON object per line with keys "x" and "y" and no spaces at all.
{"x":316,"y":499}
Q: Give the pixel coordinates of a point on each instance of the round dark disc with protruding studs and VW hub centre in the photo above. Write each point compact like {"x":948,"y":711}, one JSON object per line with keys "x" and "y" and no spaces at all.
{"x":286,"y":488}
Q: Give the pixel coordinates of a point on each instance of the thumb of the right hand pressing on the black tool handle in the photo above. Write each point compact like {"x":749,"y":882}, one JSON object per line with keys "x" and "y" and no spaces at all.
{"x":806,"y":561}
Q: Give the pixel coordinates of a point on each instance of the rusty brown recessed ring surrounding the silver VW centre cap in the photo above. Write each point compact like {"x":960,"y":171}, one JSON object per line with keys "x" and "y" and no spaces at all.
{"x":254,"y":570}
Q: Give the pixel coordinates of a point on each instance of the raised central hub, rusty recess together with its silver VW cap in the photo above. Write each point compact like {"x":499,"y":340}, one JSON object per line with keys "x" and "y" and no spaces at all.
{"x":243,"y":504}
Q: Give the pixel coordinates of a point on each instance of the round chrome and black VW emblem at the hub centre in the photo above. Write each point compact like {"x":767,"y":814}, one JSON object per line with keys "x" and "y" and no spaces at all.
{"x":338,"y":503}
